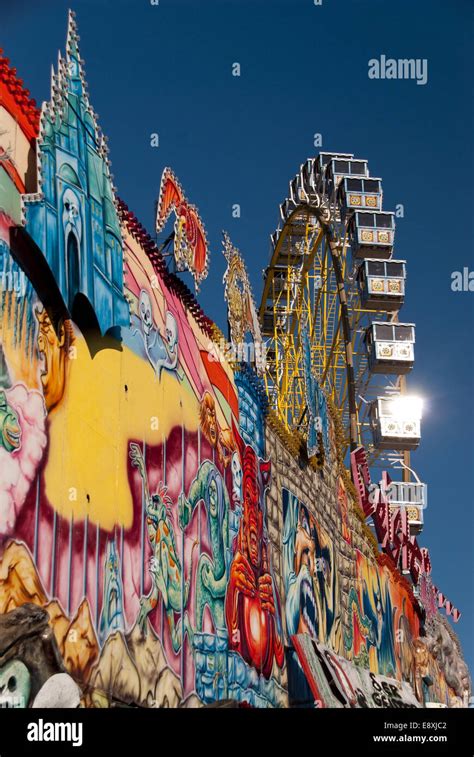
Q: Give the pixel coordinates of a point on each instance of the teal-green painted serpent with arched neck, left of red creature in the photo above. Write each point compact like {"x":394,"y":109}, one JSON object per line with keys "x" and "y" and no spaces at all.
{"x":211,"y":577}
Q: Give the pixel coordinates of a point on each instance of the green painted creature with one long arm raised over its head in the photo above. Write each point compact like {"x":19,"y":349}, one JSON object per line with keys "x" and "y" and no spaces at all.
{"x":165,"y":566}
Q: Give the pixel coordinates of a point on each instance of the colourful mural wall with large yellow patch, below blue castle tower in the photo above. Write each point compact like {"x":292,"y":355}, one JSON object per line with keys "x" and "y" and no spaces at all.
{"x":123,"y":466}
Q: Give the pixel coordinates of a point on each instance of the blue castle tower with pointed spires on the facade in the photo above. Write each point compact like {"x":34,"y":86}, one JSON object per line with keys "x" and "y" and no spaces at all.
{"x":73,"y":217}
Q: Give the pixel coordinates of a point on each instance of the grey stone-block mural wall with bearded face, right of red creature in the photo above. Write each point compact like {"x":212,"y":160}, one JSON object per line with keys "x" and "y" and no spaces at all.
{"x":340,"y":590}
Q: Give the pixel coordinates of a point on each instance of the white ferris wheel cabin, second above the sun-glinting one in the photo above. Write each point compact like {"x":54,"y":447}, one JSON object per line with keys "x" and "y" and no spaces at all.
{"x":382,"y":284}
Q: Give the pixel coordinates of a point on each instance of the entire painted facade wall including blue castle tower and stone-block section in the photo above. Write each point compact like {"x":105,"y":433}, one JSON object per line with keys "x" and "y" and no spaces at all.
{"x":159,"y":543}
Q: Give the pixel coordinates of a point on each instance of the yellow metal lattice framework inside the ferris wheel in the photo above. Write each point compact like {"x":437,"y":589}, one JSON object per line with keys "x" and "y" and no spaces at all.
{"x":301,"y":290}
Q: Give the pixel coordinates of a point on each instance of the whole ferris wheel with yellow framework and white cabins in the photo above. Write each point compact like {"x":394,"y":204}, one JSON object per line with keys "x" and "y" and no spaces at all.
{"x":332,"y":295}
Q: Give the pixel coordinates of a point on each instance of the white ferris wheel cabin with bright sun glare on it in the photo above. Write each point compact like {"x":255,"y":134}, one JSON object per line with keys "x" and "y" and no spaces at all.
{"x":396,"y":422}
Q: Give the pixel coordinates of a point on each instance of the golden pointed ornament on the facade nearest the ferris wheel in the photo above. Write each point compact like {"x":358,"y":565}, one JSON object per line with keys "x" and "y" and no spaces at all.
{"x":241,"y":310}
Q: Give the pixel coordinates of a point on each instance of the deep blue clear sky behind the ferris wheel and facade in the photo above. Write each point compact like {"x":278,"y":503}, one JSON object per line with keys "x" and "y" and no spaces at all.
{"x":304,"y":69}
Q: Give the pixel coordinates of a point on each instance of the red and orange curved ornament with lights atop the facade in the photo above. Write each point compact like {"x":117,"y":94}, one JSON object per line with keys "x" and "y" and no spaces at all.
{"x":191,"y":249}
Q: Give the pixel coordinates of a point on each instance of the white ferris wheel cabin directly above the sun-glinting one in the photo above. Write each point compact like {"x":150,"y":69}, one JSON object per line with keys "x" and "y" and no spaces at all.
{"x":390,"y":347}
